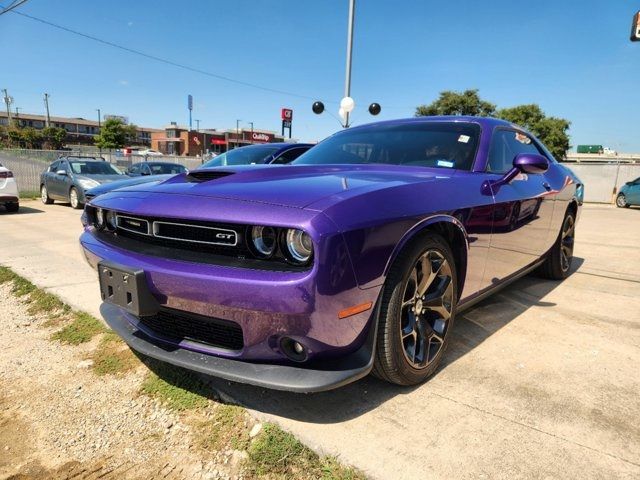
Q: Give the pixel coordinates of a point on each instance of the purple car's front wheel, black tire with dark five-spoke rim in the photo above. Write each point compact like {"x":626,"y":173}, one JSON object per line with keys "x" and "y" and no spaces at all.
{"x":416,"y":312}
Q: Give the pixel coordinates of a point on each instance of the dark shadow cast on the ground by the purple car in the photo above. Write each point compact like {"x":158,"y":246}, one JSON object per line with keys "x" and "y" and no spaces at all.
{"x":471,"y":328}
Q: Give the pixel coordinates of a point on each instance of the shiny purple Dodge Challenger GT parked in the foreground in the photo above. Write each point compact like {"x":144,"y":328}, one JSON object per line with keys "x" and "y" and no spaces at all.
{"x":353,"y":259}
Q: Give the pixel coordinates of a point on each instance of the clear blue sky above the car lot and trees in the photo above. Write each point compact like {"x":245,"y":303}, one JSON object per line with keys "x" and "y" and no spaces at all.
{"x":572,"y":58}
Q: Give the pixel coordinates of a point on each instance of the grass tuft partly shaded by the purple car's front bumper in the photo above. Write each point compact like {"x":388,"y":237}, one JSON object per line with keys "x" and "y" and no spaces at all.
{"x":177,"y":389}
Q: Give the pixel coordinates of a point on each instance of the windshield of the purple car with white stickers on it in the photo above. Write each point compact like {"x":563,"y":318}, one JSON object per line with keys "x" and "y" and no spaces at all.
{"x":436,"y":144}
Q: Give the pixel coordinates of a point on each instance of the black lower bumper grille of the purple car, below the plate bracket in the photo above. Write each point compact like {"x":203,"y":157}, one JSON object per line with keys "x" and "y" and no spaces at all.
{"x":176,"y":325}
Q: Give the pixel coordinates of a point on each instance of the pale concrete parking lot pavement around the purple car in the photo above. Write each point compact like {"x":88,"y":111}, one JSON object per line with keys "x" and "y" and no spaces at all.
{"x":540,"y":381}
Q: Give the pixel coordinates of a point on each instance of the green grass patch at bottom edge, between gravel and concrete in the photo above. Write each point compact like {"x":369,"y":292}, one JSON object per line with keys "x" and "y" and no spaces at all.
{"x":278,"y":454}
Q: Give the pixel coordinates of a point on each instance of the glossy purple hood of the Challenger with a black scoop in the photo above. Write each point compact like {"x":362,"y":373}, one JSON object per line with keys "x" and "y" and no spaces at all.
{"x":297,"y":186}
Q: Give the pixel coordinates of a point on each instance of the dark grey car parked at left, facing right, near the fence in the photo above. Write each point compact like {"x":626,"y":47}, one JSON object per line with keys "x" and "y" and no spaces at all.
{"x":69,"y":177}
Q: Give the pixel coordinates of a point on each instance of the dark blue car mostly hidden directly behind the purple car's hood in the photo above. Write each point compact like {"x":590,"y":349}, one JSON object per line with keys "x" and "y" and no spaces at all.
{"x":275,"y":153}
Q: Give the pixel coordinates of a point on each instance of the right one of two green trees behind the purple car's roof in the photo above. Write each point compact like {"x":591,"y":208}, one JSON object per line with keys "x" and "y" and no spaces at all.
{"x":552,"y":131}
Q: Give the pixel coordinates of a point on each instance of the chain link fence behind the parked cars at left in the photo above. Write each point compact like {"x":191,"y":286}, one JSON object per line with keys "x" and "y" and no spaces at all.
{"x":27,"y":165}
